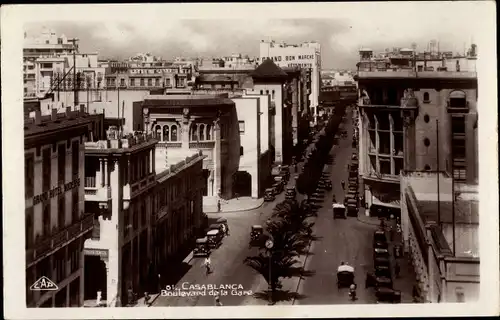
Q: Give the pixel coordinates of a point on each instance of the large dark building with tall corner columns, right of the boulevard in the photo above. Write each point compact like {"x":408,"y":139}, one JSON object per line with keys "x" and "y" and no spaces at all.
{"x":413,"y":120}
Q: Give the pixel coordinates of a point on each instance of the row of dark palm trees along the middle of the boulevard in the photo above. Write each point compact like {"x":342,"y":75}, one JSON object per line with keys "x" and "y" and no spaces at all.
{"x":290,"y":226}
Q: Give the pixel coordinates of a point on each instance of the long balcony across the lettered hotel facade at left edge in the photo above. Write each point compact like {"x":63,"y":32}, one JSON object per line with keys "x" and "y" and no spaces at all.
{"x":48,"y":246}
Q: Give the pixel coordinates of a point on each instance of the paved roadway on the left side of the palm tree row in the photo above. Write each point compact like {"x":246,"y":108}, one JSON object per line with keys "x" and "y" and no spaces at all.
{"x":227,"y":261}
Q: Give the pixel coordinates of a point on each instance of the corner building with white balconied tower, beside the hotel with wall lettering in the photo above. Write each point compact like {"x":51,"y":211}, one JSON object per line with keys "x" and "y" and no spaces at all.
{"x":135,"y":231}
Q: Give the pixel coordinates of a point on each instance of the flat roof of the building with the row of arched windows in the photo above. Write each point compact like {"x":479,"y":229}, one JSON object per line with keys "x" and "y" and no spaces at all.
{"x":179,"y":100}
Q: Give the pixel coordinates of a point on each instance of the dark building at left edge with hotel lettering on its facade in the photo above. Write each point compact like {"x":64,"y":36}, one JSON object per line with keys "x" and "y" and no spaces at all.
{"x":57,"y":223}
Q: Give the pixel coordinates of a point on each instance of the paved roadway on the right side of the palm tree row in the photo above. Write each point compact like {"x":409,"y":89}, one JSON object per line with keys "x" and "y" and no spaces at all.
{"x":340,"y":240}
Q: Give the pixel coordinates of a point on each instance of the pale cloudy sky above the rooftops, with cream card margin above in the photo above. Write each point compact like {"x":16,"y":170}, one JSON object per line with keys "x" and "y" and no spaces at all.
{"x":195,"y":30}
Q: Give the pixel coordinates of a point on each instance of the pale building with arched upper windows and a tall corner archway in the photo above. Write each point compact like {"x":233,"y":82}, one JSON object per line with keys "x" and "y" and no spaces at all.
{"x":197,"y":122}
